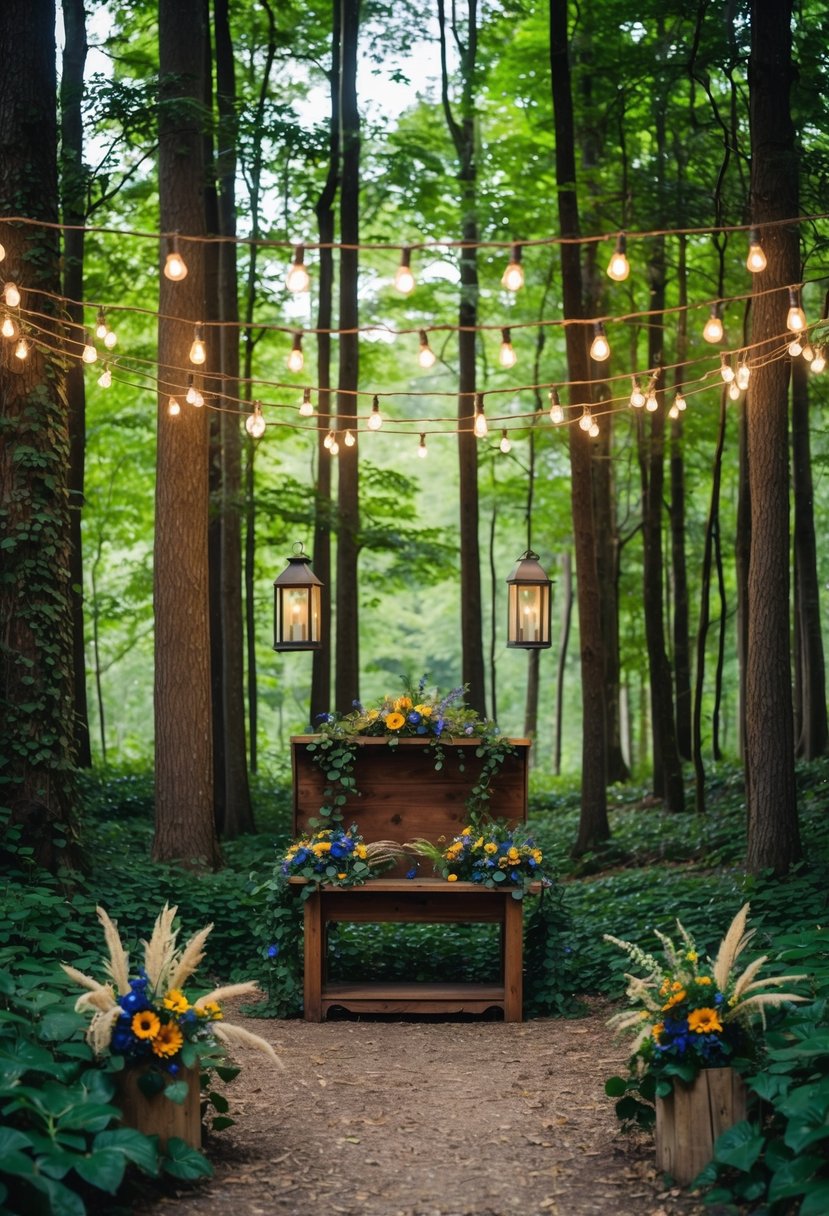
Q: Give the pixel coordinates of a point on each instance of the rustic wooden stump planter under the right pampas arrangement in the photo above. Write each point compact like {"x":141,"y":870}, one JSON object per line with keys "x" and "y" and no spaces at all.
{"x":690,"y":1121}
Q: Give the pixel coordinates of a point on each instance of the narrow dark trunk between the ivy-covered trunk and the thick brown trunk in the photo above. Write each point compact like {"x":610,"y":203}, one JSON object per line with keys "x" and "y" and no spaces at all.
{"x":74,"y":196}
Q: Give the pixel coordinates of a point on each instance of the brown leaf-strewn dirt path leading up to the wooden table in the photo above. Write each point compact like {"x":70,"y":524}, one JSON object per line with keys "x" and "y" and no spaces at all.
{"x":430,"y":1118}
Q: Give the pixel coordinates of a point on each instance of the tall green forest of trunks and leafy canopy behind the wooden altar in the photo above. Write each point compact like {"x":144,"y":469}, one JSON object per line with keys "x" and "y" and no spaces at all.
{"x":405,"y":301}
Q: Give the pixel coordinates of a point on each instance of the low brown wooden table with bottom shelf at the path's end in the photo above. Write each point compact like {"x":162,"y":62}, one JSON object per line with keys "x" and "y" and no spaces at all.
{"x":420,"y":900}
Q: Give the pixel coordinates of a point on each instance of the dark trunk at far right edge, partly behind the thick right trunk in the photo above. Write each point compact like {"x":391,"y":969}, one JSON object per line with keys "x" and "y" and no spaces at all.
{"x":814,"y":733}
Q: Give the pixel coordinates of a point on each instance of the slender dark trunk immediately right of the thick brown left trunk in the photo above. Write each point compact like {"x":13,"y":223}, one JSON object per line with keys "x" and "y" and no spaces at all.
{"x":239,"y":813}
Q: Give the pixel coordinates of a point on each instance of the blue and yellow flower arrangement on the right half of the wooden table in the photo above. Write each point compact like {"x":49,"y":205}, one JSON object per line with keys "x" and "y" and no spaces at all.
{"x":489,"y":853}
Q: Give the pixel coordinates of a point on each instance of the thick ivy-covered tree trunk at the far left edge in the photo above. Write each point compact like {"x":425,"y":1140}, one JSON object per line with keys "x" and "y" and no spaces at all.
{"x":36,"y":610}
